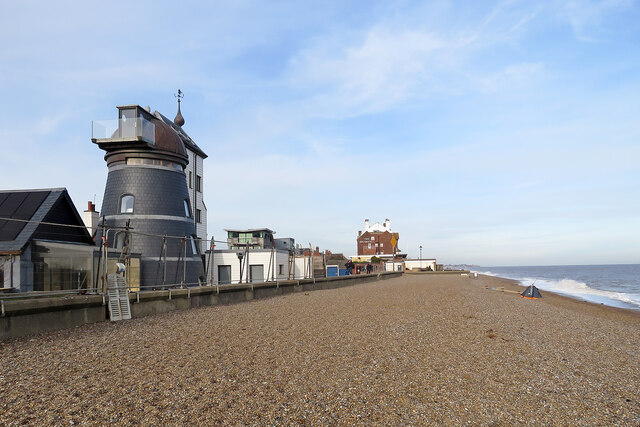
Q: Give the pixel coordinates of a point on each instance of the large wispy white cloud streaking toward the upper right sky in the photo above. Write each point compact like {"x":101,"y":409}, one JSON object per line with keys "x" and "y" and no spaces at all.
{"x":391,"y":64}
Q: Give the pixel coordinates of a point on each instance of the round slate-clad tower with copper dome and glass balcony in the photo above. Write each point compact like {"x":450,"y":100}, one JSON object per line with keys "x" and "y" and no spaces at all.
{"x":147,"y":207}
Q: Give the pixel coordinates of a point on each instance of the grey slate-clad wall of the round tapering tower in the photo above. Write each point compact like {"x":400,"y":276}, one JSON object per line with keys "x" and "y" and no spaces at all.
{"x":157,"y":191}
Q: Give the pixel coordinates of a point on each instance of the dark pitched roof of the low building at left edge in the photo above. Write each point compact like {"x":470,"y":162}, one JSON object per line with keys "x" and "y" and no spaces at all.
{"x":43,"y":205}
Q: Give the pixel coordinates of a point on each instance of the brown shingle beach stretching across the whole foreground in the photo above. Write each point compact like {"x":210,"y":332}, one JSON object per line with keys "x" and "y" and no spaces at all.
{"x":416,"y":350}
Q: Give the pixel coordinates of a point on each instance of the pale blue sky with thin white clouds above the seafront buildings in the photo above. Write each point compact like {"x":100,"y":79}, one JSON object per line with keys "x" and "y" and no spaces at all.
{"x":490,"y":133}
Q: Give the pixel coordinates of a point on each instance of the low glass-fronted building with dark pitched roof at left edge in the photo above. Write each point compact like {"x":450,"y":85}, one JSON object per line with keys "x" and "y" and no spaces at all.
{"x":36,"y":255}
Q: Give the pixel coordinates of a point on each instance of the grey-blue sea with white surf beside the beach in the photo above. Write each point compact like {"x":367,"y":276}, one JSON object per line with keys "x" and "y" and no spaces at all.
{"x":615,"y":285}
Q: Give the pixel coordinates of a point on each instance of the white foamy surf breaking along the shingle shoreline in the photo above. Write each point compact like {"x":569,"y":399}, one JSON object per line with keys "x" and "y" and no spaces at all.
{"x":578,"y":289}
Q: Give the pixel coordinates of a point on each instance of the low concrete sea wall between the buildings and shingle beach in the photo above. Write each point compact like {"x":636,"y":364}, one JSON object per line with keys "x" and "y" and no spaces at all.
{"x":33,"y":316}
